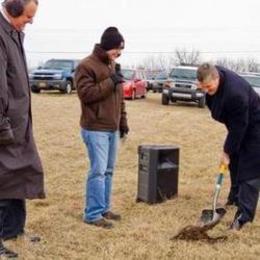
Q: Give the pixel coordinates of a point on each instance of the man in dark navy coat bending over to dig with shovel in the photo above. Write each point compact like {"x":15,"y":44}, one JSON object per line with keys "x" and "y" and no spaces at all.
{"x":233,"y":102}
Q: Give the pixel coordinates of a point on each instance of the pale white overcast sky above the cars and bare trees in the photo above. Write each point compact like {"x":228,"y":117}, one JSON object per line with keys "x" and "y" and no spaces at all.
{"x":70,"y":28}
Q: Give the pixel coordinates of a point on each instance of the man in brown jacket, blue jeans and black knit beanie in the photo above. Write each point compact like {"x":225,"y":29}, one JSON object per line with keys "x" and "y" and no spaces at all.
{"x":103,"y":118}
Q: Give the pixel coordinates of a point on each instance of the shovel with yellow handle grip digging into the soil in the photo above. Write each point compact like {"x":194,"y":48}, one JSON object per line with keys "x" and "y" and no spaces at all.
{"x":210,"y":217}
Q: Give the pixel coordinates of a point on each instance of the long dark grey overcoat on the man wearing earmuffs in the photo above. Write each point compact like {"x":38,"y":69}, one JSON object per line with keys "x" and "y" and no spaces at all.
{"x":21,"y":173}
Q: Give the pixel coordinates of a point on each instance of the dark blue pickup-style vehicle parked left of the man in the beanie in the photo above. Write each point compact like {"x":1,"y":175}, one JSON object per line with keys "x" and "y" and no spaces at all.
{"x":54,"y":74}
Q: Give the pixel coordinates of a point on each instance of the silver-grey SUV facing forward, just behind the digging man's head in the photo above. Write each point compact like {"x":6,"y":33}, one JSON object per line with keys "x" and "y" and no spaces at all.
{"x":182,"y":86}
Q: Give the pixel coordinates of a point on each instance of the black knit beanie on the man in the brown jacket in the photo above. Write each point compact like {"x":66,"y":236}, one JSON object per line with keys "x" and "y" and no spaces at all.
{"x":112,"y":39}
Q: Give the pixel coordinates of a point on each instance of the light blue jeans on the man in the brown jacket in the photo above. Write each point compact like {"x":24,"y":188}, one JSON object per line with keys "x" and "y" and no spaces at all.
{"x":102,"y":150}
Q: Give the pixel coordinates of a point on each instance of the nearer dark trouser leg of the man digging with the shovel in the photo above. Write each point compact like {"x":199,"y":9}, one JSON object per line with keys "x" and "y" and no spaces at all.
{"x":248,"y":195}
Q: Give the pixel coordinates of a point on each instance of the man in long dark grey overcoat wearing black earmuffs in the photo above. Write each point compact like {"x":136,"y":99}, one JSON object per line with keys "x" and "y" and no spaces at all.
{"x":21,"y":174}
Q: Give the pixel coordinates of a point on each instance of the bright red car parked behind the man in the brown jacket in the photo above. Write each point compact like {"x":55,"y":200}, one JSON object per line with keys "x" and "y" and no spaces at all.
{"x":135,"y":83}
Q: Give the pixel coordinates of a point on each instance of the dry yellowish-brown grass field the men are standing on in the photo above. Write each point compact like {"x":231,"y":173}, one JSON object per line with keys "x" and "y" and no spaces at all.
{"x":145,"y":231}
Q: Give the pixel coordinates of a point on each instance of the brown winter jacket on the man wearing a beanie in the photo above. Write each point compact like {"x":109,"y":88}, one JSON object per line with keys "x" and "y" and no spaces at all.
{"x":102,"y":104}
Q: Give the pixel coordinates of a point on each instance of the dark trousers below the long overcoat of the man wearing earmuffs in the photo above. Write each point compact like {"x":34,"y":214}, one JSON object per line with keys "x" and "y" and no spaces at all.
{"x":12,"y":218}
